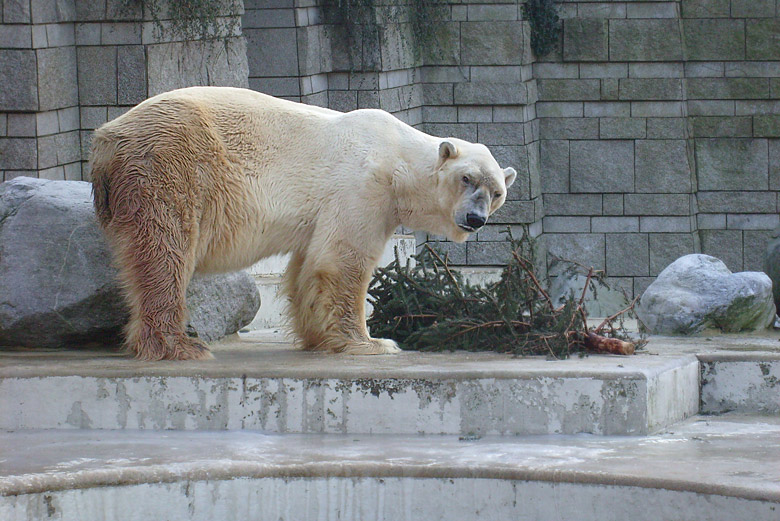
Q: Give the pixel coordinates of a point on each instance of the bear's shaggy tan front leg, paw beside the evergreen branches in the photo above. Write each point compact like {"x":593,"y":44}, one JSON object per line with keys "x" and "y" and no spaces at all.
{"x":328,"y":306}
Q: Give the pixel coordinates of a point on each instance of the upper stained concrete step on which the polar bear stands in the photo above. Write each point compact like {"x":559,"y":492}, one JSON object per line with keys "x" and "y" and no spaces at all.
{"x":259,"y":381}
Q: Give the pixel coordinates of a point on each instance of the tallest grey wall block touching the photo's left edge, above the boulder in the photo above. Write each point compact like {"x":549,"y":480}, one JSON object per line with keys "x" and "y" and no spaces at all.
{"x":20,"y":91}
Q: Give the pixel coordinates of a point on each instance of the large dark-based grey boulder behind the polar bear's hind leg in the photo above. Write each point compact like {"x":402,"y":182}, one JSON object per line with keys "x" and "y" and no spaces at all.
{"x":58,"y":287}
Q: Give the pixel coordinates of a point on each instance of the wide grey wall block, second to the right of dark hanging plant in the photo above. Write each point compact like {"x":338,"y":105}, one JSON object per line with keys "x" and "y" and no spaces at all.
{"x":644,"y":40}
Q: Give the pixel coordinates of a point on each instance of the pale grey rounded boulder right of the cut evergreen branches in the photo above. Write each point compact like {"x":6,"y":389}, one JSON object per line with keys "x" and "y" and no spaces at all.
{"x":698,"y":292}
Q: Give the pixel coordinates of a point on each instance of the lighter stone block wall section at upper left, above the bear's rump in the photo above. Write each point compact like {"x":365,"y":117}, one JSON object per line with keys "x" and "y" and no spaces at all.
{"x":67,"y":66}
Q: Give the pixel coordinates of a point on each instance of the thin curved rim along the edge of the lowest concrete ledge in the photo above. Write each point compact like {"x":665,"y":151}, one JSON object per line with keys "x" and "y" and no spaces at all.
{"x":36,"y":484}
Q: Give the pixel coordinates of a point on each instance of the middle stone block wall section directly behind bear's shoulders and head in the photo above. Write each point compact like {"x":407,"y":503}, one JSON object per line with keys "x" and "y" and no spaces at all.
{"x":473,"y":81}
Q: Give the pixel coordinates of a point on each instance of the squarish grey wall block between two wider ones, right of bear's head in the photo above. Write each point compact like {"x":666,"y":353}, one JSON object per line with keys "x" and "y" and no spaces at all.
{"x":662,"y":166}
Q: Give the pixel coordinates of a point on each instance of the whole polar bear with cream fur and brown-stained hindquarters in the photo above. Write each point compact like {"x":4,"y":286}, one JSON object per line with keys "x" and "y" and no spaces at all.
{"x":213,"y":179}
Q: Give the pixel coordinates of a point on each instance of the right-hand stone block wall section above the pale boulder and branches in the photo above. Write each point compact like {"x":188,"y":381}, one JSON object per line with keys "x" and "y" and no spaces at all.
{"x":658,"y":129}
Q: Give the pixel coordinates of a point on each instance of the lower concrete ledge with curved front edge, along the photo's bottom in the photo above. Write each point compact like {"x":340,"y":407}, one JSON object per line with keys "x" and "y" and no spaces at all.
{"x":714,"y":468}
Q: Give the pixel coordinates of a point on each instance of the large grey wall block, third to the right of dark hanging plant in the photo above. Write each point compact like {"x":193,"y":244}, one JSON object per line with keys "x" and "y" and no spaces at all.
{"x":714,"y":39}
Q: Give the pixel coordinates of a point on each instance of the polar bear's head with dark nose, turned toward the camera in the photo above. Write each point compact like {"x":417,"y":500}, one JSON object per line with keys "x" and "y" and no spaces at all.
{"x":472,"y":186}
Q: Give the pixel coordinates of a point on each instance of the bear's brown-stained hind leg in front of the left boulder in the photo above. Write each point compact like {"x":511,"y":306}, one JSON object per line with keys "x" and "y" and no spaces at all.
{"x":156,"y":264}
